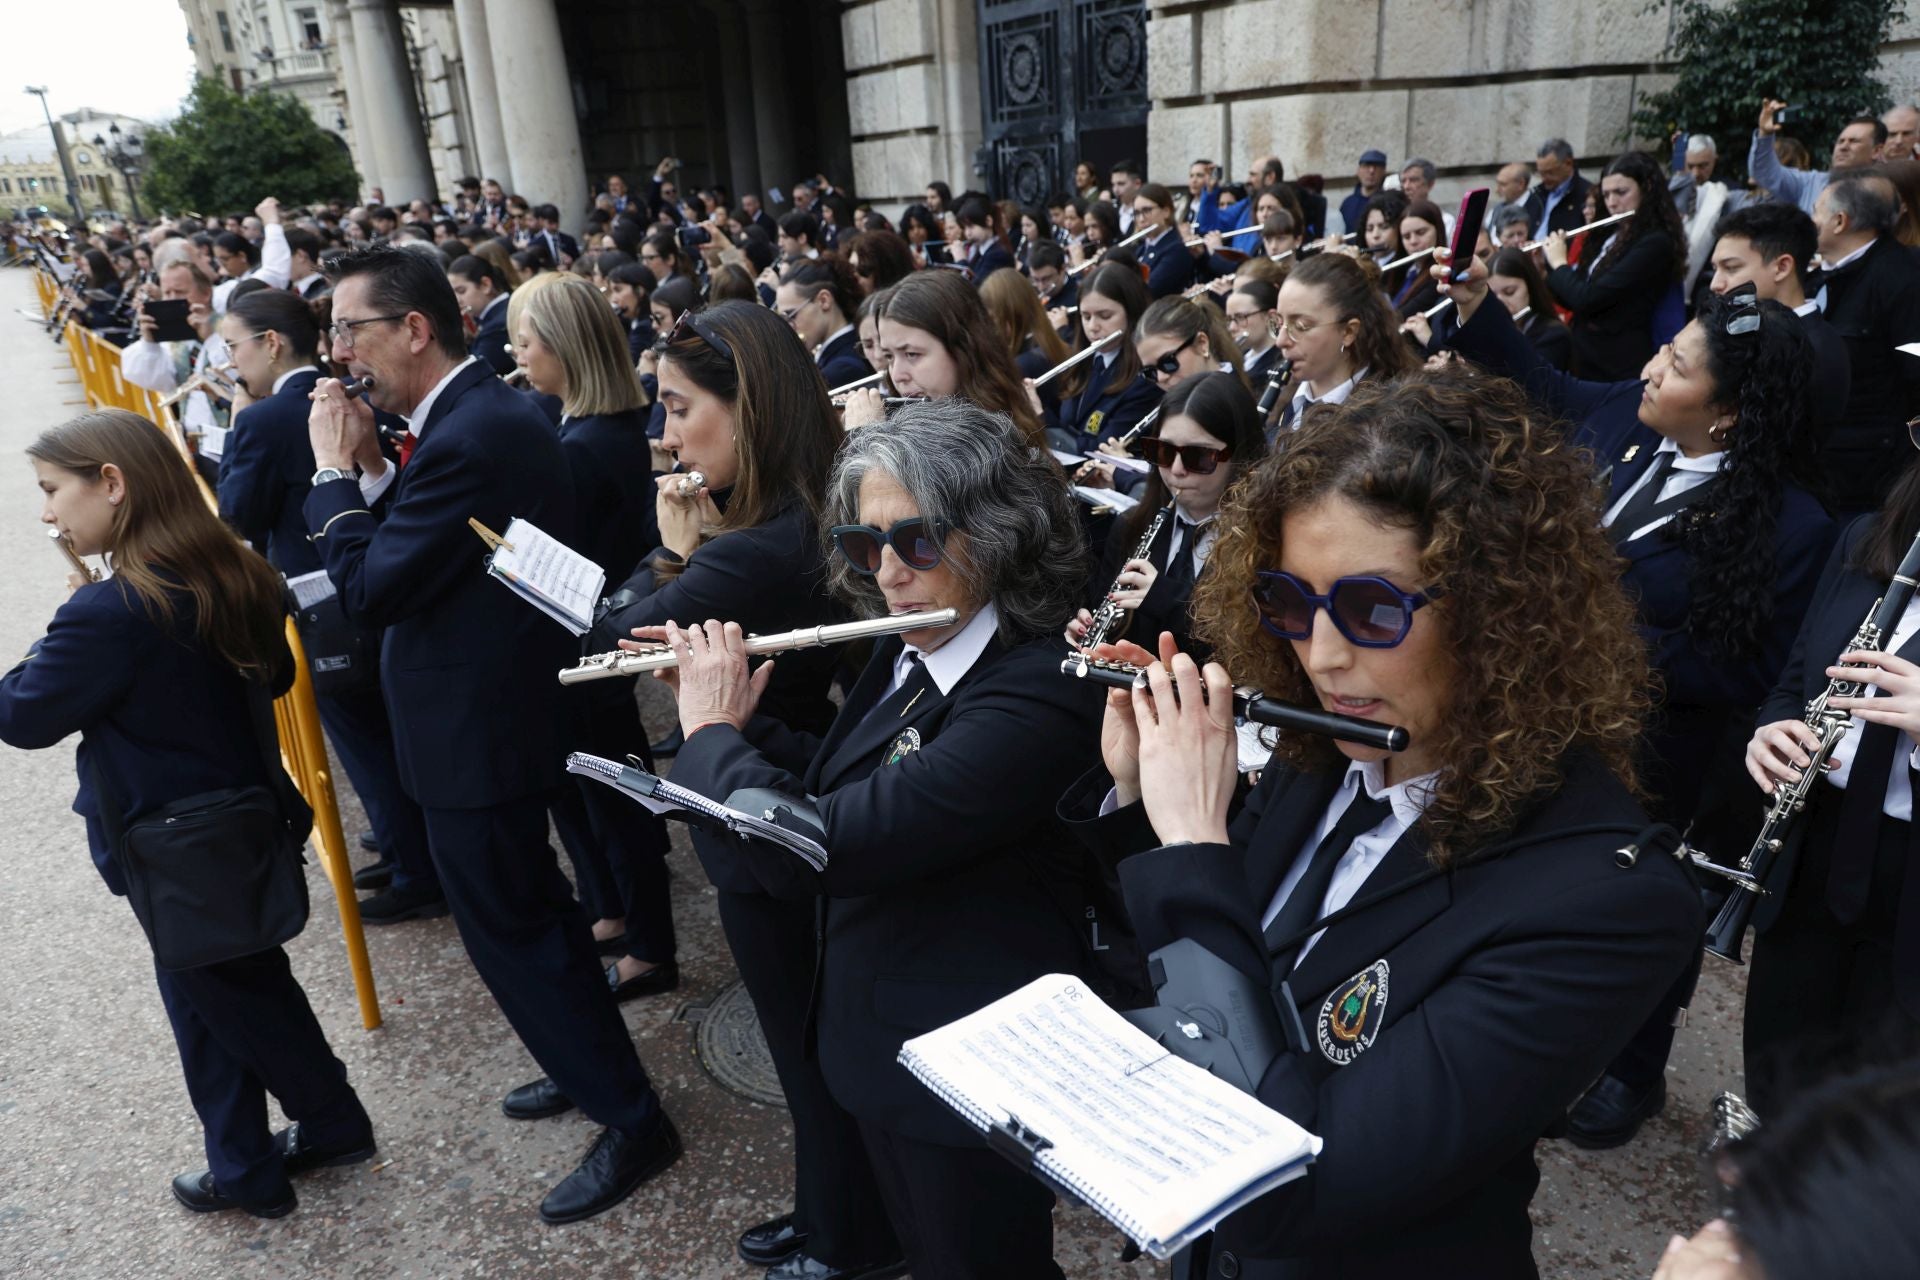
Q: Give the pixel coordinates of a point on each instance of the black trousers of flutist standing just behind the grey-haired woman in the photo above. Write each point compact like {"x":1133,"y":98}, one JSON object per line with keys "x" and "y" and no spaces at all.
{"x":836,"y":1198}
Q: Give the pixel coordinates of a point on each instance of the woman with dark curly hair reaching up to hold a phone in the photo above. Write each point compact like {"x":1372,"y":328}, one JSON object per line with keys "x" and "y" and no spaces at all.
{"x":1712,"y":506}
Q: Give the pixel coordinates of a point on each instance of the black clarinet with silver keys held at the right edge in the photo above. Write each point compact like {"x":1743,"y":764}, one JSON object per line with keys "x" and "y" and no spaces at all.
{"x":1790,"y":799}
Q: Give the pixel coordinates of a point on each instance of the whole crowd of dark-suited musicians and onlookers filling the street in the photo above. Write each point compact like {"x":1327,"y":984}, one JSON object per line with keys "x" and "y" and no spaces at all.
{"x":1591,"y":500}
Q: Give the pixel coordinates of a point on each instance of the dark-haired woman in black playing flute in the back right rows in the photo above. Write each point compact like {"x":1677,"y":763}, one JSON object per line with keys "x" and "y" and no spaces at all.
{"x":1621,"y":281}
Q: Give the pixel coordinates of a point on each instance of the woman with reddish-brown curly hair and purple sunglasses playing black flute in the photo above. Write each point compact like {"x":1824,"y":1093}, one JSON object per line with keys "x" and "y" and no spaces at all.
{"x":1451,"y":928}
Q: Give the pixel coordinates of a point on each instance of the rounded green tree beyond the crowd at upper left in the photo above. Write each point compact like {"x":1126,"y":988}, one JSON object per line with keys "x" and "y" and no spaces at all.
{"x":228,"y":153}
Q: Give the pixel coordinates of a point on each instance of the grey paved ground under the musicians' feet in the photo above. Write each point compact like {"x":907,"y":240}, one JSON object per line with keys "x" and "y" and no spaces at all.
{"x":95,"y":1120}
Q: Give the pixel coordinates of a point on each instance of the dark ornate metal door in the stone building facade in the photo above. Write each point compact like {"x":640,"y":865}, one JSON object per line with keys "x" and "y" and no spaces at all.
{"x":1055,"y":72}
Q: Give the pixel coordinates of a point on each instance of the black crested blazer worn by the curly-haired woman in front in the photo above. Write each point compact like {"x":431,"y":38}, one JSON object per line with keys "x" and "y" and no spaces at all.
{"x":1510,"y":985}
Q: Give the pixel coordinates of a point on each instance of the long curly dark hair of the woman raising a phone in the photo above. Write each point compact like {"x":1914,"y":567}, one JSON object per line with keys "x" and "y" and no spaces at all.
{"x":1767,"y":381}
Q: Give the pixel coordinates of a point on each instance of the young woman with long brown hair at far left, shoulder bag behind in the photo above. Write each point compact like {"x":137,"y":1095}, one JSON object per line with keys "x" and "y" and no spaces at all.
{"x":155,"y":669}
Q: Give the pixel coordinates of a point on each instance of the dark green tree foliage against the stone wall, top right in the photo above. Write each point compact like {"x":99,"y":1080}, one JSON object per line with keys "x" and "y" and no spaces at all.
{"x":1815,"y":55}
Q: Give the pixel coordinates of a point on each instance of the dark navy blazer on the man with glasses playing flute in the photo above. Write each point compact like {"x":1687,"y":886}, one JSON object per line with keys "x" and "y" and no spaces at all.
{"x":468,"y":667}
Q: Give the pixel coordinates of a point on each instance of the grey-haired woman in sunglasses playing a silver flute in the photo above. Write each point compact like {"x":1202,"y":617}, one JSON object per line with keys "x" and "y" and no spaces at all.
{"x":949,"y":880}
